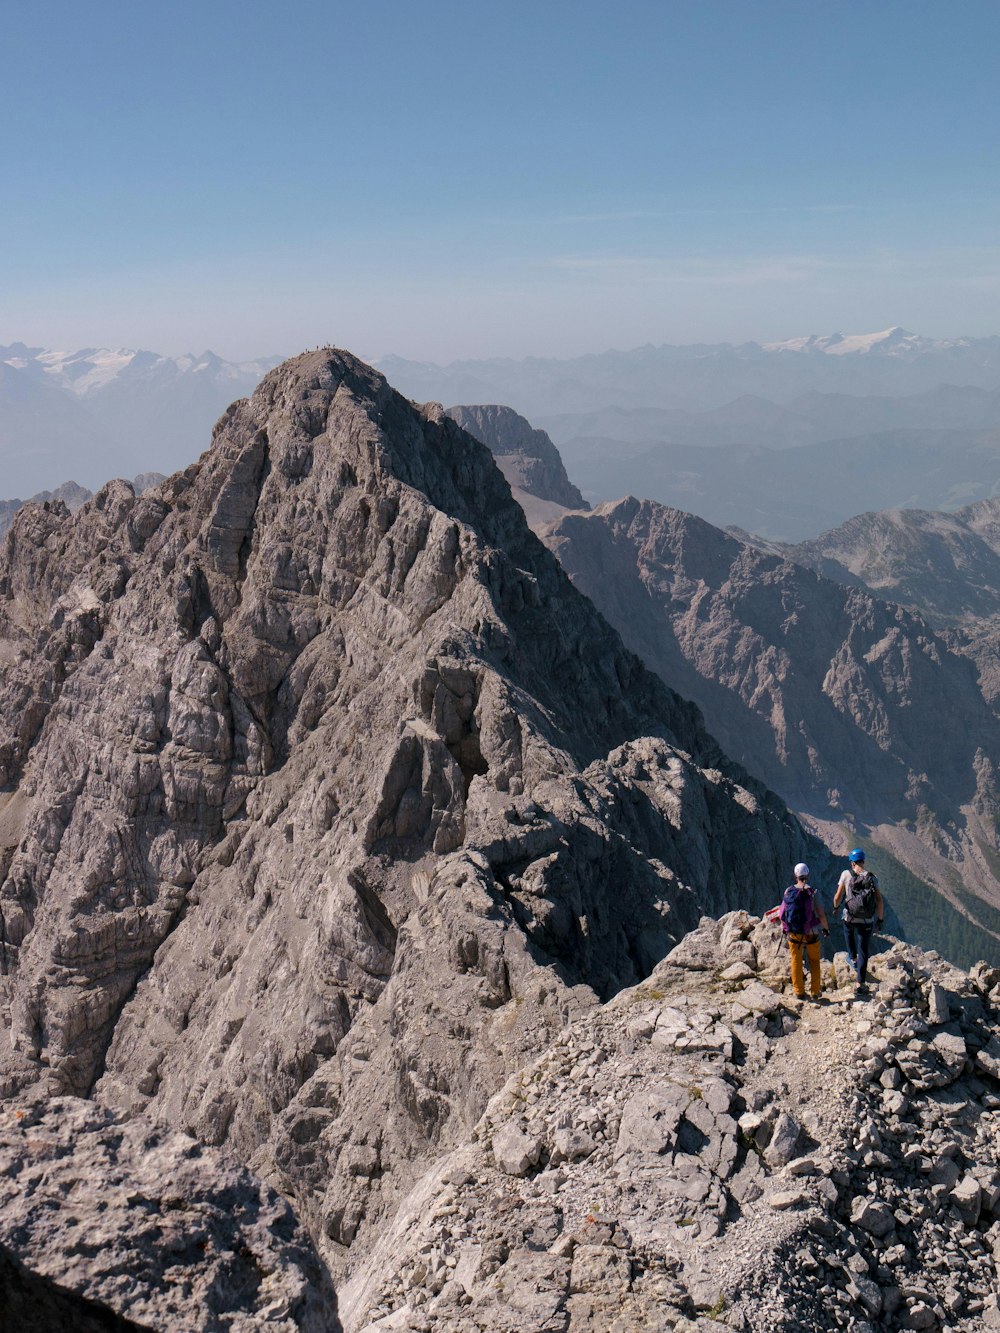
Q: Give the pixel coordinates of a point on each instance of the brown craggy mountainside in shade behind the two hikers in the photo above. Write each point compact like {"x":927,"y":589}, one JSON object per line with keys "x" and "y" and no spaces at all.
{"x":834,"y":696}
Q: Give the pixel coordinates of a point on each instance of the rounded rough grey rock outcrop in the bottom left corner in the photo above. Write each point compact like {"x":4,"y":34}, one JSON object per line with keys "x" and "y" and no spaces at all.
{"x":141,"y":1219}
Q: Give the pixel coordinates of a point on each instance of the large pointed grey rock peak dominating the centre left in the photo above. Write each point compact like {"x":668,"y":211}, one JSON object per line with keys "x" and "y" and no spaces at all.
{"x":326,"y":799}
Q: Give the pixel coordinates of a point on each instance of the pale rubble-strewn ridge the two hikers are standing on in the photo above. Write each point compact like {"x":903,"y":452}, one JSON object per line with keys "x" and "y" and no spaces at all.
{"x":706,"y":1152}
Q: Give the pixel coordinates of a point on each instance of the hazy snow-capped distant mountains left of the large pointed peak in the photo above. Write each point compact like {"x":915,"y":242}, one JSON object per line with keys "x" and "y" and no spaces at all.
{"x":98,"y":414}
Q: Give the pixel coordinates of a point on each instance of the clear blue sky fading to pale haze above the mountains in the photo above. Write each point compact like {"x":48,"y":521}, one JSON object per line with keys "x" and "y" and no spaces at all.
{"x":471,"y":179}
